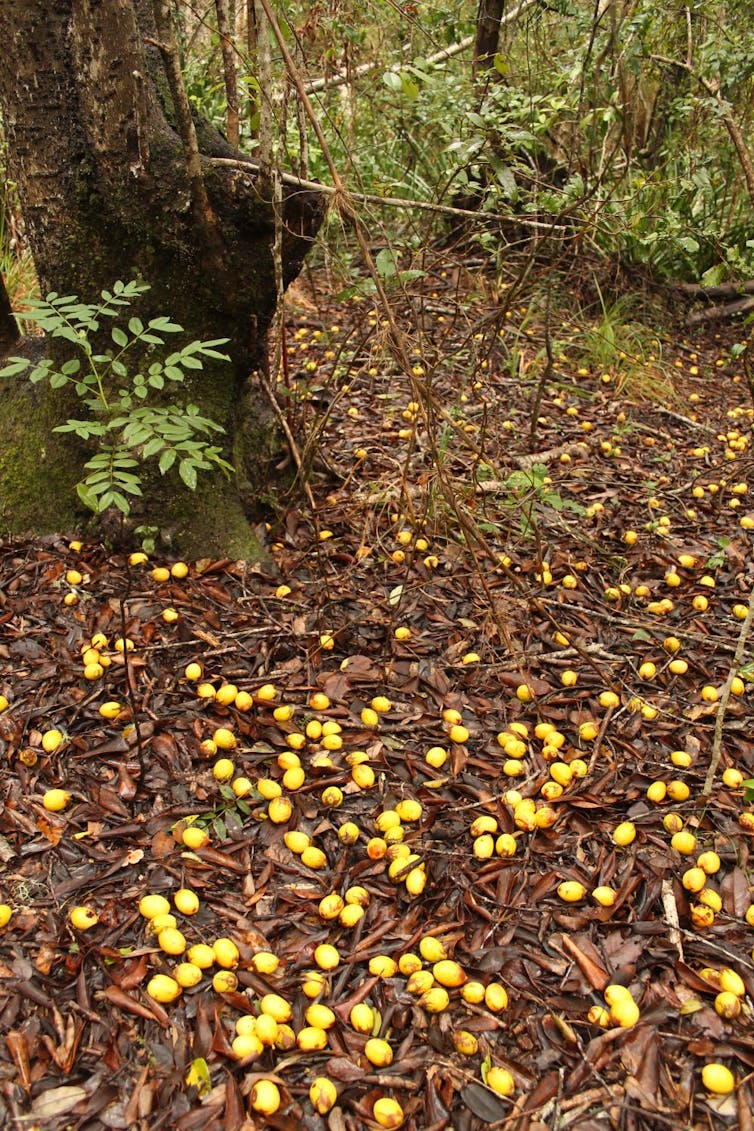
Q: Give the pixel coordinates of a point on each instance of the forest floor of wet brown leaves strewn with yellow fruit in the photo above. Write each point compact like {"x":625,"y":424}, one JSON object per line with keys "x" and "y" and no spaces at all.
{"x":552,"y":617}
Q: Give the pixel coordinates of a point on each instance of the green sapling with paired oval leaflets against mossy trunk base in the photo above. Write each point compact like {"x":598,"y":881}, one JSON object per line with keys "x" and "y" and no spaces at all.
{"x":123,"y":425}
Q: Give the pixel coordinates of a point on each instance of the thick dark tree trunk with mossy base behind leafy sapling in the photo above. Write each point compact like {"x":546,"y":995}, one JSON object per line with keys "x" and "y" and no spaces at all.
{"x":107,"y":192}
